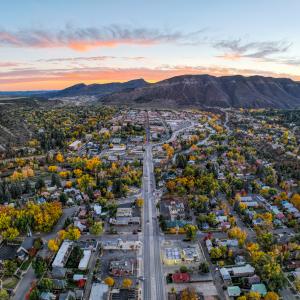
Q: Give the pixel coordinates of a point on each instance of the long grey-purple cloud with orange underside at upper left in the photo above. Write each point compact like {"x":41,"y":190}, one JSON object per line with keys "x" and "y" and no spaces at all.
{"x":82,"y":39}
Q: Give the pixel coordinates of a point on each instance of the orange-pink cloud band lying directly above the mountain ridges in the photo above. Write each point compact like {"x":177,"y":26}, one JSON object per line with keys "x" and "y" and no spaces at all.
{"x":30,"y":79}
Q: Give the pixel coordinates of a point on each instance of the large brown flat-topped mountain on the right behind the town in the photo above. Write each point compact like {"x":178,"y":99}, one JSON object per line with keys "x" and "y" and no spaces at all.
{"x":209,"y":91}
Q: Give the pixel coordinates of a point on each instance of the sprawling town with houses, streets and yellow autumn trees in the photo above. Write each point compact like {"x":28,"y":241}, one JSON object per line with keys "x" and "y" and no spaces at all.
{"x":103,"y":203}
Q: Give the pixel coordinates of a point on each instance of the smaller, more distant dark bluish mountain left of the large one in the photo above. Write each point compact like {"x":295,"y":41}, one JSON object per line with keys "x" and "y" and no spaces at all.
{"x":99,"y":90}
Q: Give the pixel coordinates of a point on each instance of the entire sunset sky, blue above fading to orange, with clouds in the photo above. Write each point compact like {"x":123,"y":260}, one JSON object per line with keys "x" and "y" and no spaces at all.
{"x":53,"y":44}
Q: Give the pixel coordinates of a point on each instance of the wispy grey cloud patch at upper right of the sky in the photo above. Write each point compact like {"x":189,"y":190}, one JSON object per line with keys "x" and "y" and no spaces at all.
{"x":236,"y":49}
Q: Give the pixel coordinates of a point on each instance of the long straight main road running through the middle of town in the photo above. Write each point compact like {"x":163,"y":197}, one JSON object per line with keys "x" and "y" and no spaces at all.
{"x":154,"y":282}
